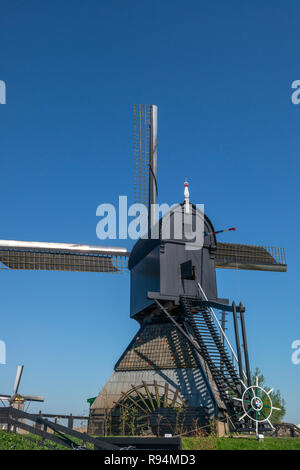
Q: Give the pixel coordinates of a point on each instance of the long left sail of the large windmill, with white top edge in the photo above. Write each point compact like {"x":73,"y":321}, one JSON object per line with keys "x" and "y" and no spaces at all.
{"x":61,"y":257}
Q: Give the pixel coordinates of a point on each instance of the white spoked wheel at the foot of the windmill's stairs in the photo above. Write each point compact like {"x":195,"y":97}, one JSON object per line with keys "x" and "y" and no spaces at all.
{"x":257,"y":404}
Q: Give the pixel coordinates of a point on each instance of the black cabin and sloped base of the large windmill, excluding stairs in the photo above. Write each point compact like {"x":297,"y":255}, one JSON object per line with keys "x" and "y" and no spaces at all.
{"x":159,"y":363}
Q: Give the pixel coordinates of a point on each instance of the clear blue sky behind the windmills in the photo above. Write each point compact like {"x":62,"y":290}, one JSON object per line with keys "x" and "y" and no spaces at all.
{"x":221,"y":74}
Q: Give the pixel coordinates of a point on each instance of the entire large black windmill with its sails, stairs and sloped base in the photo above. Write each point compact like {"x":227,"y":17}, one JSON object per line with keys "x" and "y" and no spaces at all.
{"x":180,"y":370}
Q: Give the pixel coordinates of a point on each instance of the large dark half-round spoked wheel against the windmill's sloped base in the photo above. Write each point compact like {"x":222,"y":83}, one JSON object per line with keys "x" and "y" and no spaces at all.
{"x":150,"y":409}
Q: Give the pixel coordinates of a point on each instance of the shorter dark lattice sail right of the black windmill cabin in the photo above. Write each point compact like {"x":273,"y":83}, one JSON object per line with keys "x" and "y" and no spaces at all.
{"x":250,"y":257}
